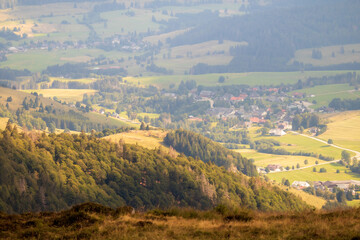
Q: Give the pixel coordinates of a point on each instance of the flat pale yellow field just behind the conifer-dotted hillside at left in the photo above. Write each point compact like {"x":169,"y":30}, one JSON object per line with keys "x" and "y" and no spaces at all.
{"x":68,"y":95}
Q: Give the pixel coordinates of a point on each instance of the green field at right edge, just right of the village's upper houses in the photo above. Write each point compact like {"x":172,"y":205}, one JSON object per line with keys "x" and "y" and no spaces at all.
{"x":324,"y":94}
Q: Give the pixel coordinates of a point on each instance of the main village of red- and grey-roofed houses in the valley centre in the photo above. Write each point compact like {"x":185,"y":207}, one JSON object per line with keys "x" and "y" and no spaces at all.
{"x":252,"y":114}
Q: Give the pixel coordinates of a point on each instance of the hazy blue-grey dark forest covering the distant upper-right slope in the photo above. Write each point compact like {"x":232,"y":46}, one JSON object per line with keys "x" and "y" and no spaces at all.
{"x":275,"y":32}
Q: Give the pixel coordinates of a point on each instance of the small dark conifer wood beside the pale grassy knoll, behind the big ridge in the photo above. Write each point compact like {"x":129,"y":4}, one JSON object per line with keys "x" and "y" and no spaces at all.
{"x":197,"y":146}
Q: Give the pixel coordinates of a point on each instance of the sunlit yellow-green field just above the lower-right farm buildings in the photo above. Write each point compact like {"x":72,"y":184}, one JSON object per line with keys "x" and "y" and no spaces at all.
{"x":308,"y":174}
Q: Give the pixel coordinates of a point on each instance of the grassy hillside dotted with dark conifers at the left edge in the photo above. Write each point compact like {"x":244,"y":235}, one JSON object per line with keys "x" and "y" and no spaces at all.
{"x":36,"y":112}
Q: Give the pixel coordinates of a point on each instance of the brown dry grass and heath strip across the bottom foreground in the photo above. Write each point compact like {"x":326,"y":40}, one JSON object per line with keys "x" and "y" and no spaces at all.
{"x":93,"y":221}
